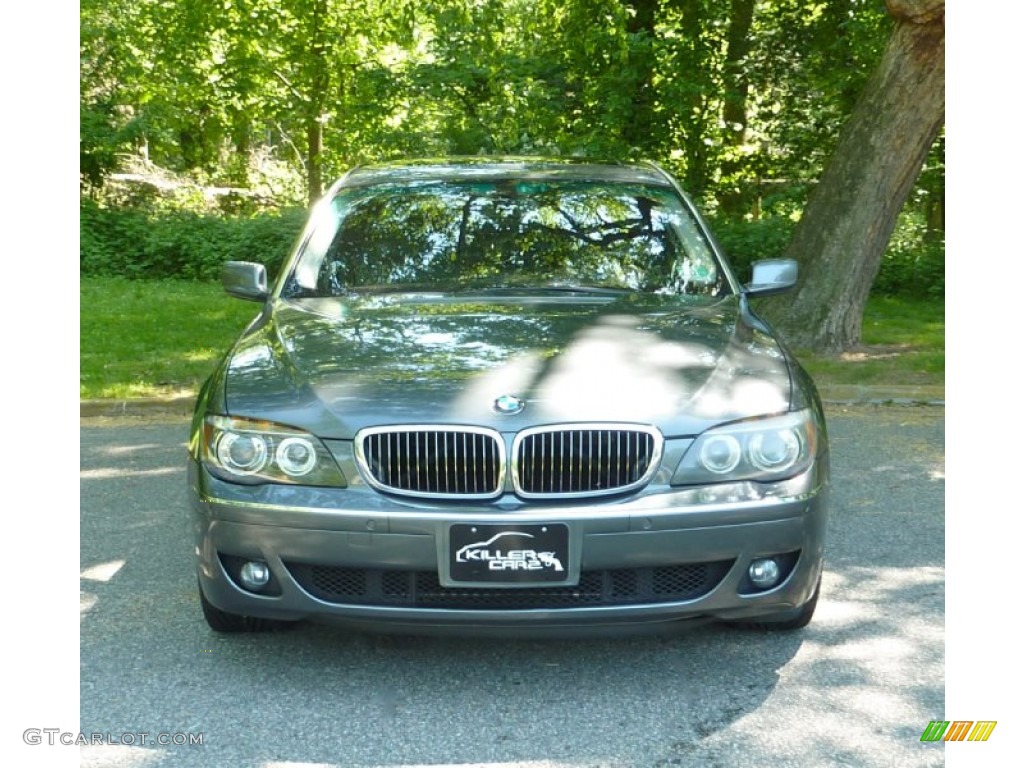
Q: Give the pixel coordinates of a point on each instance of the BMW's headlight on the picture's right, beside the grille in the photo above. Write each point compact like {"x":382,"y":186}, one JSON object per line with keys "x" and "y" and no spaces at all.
{"x":772,"y":449}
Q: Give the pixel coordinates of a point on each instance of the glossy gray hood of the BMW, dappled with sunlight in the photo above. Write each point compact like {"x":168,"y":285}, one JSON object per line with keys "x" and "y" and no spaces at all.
{"x":335,"y":366}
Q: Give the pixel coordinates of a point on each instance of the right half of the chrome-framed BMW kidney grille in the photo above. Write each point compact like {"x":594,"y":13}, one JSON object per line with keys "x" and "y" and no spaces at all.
{"x":584,"y":460}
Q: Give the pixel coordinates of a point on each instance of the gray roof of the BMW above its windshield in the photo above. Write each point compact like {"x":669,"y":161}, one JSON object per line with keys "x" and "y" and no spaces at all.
{"x":486,"y":168}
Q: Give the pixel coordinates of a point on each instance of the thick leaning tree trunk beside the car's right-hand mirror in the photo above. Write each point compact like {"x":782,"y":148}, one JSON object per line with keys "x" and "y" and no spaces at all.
{"x":852,"y":212}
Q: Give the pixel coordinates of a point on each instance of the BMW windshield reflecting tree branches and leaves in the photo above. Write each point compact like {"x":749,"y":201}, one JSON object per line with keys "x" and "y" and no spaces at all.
{"x":478,"y":235}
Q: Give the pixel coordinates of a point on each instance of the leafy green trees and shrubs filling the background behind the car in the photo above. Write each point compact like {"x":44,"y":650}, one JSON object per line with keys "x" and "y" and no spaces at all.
{"x":277,"y":97}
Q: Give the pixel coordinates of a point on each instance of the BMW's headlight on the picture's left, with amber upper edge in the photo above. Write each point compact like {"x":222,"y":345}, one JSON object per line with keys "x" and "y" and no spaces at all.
{"x":251,"y":452}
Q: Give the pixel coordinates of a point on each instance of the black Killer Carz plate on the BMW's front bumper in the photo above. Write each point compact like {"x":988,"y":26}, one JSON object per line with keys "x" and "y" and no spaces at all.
{"x":511,"y":554}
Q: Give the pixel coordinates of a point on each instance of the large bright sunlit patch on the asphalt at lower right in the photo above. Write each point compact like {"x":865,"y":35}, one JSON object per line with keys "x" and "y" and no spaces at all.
{"x":863,"y":668}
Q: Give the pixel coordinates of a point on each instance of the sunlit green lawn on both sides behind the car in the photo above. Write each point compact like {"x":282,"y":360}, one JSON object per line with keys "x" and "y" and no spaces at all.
{"x":151,"y":338}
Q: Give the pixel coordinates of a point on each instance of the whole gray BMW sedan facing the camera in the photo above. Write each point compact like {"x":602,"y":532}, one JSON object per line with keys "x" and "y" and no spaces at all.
{"x":508,"y":396}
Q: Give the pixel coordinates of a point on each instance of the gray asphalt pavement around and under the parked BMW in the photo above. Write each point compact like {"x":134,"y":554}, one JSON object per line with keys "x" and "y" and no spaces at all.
{"x":858,"y":688}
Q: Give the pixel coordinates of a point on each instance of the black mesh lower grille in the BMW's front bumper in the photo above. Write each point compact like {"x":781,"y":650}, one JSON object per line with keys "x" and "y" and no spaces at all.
{"x":422,"y":590}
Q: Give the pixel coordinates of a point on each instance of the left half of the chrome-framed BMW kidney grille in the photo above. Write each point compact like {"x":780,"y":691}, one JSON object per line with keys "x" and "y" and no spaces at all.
{"x":433,"y":461}
